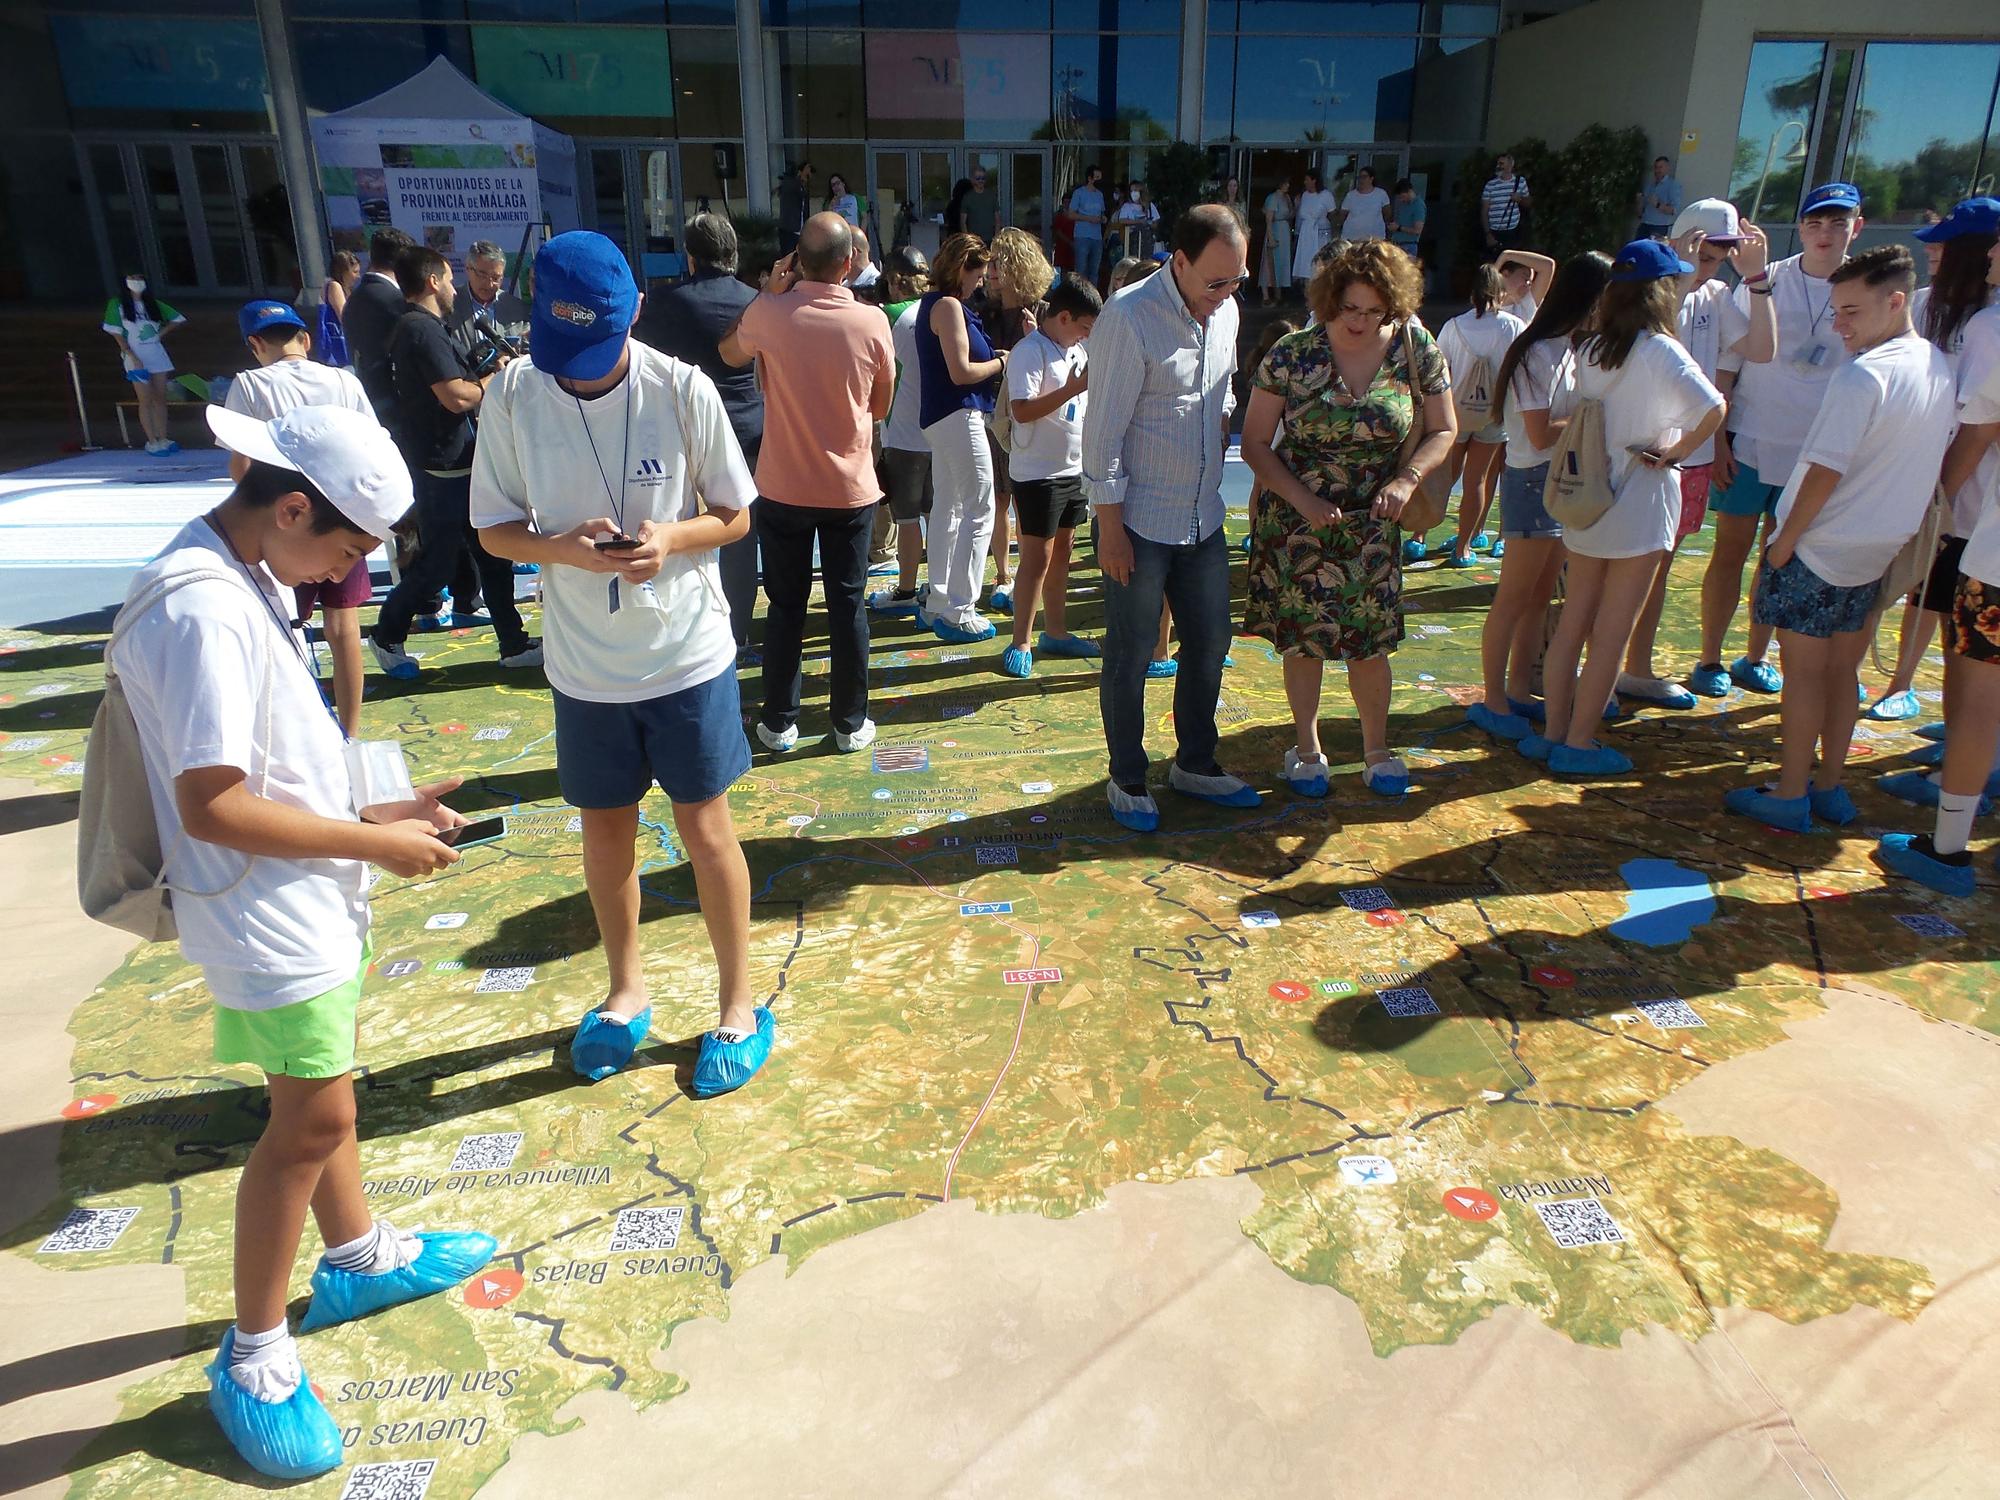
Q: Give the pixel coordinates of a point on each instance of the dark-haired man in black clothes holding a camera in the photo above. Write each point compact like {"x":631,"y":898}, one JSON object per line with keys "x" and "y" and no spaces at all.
{"x":435,"y":401}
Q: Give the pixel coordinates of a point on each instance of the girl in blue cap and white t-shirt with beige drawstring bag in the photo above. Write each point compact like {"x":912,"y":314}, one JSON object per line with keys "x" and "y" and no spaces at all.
{"x":1659,"y":409}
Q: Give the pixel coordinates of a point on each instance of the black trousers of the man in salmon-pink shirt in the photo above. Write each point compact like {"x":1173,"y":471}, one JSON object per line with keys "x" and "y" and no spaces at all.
{"x":787,"y":537}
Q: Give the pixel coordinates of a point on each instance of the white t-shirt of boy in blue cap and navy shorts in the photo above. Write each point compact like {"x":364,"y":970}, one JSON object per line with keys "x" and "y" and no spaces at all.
{"x":539,"y":461}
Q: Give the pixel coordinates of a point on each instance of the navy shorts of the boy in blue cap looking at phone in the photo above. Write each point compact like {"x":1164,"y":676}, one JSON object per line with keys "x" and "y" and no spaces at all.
{"x":691,"y":743}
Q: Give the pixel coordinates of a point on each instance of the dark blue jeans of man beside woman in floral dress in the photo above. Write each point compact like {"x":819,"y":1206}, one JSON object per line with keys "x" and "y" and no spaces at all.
{"x":1197,"y":583}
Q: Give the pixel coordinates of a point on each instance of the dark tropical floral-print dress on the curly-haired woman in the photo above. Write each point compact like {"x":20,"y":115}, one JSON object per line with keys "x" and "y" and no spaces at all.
{"x":1335,"y":593}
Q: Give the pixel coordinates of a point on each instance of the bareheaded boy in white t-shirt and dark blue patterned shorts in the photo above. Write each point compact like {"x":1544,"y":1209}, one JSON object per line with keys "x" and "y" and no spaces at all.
{"x":1859,"y":493}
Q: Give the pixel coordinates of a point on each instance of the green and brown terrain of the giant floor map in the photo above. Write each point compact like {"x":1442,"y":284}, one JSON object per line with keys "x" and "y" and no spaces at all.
{"x":1183,"y":1033}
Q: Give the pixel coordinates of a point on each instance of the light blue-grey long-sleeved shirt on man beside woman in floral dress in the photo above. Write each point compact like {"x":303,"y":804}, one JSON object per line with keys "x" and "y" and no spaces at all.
{"x":1161,"y":399}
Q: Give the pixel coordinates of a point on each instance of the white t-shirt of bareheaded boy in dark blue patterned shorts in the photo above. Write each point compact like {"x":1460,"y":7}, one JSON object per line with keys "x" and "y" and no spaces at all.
{"x":1885,"y":425}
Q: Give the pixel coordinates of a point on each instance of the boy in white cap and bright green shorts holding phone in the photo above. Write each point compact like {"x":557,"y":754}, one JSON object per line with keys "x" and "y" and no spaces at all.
{"x":265,"y":853}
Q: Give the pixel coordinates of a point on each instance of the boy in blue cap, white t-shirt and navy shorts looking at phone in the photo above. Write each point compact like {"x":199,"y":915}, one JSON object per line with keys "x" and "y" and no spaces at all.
{"x":615,"y":469}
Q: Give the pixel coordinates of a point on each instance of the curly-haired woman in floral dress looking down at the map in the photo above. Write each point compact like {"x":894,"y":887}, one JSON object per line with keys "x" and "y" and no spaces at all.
{"x":1325,"y":547}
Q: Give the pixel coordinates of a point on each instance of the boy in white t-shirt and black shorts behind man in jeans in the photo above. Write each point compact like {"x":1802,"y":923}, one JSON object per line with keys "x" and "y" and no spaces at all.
{"x":1047,"y":385}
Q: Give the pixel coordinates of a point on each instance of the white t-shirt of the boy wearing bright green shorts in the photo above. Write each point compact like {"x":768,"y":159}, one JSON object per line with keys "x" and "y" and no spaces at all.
{"x":195,"y":671}
